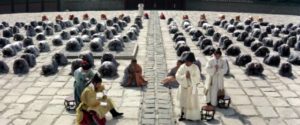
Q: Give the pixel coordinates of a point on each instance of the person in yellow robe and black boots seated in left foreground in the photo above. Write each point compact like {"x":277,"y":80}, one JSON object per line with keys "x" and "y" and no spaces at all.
{"x":89,"y":101}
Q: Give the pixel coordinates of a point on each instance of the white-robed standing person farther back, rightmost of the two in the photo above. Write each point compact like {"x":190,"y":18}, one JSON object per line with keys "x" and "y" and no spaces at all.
{"x":216,"y":67}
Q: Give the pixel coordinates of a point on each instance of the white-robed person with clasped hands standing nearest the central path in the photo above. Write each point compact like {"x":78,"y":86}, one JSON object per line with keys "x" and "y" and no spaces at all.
{"x":188,"y":77}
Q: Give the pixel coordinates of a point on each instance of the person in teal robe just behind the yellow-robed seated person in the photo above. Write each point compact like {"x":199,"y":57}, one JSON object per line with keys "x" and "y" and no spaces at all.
{"x":82,"y":75}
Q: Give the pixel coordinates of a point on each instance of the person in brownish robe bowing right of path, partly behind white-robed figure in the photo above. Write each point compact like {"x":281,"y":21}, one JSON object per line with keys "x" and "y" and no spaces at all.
{"x":170,"y":79}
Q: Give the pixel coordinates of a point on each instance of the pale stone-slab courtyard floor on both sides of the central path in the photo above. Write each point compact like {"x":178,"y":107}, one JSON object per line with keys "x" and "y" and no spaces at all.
{"x":33,"y":99}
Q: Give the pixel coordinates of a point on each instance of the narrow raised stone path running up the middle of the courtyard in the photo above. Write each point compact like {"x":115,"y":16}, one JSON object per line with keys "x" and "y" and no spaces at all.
{"x":156,"y":105}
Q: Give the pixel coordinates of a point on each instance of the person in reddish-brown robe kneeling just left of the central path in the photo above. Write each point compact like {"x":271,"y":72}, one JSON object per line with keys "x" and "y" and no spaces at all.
{"x":133,"y":75}
